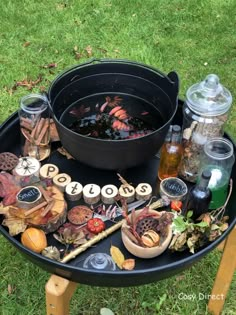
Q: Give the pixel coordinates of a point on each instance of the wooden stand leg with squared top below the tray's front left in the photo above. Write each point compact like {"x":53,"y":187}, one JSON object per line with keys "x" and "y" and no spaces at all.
{"x":59,"y":292}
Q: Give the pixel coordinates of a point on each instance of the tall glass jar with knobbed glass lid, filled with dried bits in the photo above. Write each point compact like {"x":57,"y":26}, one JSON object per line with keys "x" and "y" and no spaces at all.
{"x":205,"y":112}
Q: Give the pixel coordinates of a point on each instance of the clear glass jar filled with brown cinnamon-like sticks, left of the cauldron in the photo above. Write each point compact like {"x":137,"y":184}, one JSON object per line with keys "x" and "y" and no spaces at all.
{"x":34,"y":118}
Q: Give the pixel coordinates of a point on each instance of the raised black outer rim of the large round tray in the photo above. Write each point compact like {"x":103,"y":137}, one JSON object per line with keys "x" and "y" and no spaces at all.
{"x":67,"y":271}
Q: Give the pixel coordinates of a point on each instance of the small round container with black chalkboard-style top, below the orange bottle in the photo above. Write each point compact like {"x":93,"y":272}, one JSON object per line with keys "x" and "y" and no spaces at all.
{"x":174,"y":188}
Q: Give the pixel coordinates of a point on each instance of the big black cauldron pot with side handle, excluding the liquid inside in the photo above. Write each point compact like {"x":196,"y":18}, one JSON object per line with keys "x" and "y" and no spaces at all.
{"x":118,"y":77}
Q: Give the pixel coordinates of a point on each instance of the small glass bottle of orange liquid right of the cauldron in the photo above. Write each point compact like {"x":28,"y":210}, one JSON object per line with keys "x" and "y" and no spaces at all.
{"x":171,"y":153}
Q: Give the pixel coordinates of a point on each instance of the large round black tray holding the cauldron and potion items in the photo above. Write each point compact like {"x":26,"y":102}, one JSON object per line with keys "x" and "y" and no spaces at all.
{"x":146,"y":270}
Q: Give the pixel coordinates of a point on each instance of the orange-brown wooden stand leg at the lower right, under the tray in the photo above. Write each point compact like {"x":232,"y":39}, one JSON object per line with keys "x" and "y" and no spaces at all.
{"x":224,"y":275}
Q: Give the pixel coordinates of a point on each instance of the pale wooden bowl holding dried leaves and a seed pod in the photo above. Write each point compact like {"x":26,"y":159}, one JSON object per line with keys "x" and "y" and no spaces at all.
{"x":146,"y":252}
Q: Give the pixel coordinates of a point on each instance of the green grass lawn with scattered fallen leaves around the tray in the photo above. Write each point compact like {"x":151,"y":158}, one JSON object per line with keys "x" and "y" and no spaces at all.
{"x":194,"y":38}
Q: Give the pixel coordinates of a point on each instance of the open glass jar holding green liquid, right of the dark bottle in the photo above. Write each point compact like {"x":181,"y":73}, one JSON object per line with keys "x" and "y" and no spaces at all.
{"x":218,"y":158}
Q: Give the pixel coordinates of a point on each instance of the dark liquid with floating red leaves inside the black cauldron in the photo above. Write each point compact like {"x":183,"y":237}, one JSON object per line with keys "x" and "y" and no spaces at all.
{"x":112,"y":117}
